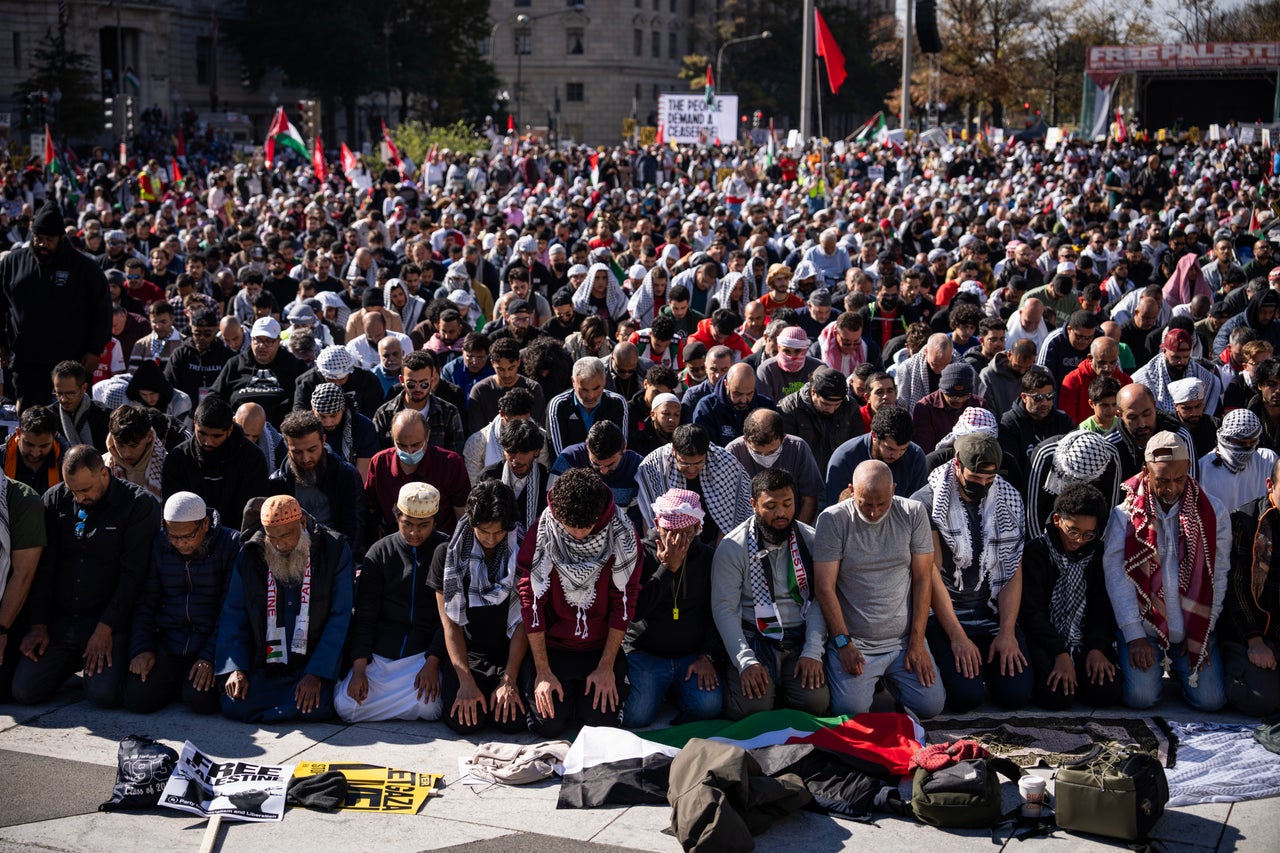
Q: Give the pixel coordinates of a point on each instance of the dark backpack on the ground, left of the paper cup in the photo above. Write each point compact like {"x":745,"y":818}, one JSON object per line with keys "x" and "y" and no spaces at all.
{"x":964,"y":795}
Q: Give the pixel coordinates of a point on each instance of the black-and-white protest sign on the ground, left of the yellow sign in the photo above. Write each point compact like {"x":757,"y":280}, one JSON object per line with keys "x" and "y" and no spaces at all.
{"x":237,"y":791}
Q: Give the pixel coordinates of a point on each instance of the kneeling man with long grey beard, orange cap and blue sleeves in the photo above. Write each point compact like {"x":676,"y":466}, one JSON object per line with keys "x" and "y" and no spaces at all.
{"x":286,"y":618}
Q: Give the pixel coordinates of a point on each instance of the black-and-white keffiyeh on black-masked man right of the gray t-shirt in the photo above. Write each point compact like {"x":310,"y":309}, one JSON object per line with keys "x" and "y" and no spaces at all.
{"x":1003,"y":527}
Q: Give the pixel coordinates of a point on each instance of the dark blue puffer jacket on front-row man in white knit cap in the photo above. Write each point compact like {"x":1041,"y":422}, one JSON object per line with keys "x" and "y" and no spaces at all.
{"x":182,"y":603}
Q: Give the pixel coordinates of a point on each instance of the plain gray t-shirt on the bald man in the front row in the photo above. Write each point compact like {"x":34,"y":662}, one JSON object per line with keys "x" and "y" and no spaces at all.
{"x":875,"y":585}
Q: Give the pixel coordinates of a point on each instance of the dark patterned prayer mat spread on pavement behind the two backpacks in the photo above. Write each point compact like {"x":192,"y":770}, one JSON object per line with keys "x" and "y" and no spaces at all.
{"x":1054,"y":741}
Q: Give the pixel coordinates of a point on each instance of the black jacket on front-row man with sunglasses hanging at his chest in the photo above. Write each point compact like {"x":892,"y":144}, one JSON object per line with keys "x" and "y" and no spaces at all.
{"x":98,"y":576}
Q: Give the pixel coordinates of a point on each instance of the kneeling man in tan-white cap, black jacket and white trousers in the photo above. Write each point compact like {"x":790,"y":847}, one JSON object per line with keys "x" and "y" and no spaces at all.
{"x":396,"y":650}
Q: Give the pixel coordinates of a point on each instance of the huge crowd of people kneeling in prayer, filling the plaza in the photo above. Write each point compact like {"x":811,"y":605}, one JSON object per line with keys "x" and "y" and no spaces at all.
{"x":531,"y":441}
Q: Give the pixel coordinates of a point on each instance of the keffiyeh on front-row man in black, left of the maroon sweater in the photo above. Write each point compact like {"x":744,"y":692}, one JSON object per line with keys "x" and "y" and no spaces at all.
{"x":473,"y":581}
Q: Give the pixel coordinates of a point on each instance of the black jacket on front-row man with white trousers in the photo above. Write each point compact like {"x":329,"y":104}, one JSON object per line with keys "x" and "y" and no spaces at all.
{"x":396,"y":612}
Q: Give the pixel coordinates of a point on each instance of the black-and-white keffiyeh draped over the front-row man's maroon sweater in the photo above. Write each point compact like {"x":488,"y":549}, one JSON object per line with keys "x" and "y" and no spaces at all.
{"x":578,"y":563}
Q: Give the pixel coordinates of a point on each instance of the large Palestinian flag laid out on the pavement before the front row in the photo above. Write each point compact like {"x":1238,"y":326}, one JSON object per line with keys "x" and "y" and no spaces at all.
{"x":610,"y":767}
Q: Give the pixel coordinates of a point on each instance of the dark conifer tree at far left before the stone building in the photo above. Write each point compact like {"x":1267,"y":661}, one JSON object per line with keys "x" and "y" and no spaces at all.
{"x":60,"y":69}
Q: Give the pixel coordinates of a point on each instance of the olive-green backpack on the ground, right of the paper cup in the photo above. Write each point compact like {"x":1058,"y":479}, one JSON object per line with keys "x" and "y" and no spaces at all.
{"x":1119,"y":792}
